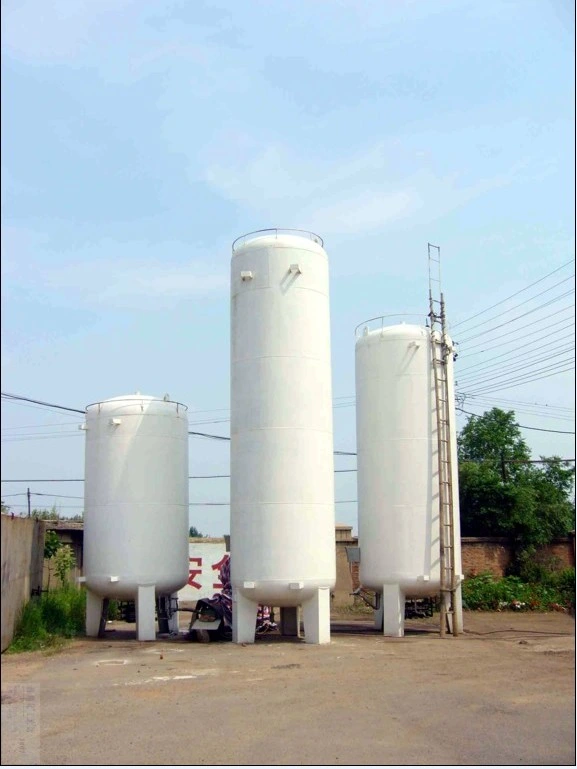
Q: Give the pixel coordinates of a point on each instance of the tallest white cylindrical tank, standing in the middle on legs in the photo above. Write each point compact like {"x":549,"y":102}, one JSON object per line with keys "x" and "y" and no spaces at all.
{"x":282,"y":483}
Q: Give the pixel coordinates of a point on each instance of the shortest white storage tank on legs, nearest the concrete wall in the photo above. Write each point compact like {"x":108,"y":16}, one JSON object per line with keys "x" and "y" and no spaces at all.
{"x":136,"y":505}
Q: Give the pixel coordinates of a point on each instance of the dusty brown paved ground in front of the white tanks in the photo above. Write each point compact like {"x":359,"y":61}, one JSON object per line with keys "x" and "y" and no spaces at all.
{"x":501,"y":694}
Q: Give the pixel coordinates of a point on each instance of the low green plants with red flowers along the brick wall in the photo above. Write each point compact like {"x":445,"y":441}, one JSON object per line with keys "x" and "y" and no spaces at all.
{"x":485,"y":592}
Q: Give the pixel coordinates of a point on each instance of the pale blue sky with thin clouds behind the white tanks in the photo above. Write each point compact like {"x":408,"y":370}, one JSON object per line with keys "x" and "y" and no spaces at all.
{"x":140,"y":137}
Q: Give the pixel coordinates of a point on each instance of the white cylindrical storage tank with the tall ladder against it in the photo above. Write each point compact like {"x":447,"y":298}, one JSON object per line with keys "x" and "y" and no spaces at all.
{"x":398,"y":488}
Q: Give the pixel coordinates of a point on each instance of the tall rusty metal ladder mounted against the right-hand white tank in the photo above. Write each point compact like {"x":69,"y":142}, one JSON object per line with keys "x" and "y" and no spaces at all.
{"x":440,"y":354}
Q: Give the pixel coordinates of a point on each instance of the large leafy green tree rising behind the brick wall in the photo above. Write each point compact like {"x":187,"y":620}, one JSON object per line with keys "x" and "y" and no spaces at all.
{"x":502,"y":493}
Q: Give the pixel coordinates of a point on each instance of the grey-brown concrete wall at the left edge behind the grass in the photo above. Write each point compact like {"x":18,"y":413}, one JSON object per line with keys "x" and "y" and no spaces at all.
{"x":22,"y":560}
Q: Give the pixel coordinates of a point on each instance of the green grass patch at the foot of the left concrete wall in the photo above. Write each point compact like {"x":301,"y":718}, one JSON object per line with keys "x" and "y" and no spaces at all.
{"x":46,"y":621}
